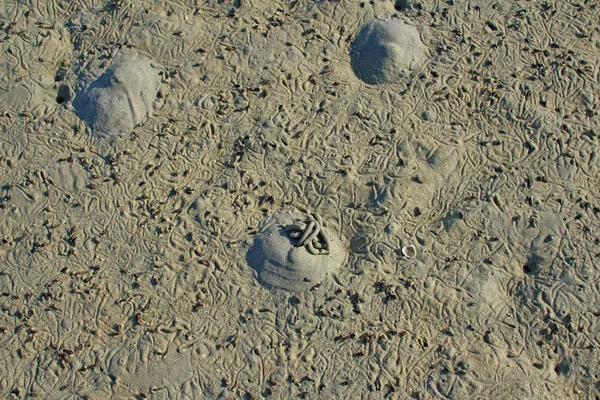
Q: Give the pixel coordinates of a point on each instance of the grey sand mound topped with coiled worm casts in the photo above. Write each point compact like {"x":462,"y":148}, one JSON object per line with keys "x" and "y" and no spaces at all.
{"x":295,"y":252}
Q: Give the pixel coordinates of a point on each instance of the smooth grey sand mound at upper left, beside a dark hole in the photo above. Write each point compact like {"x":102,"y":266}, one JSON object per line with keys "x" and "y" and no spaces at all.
{"x":119,"y":99}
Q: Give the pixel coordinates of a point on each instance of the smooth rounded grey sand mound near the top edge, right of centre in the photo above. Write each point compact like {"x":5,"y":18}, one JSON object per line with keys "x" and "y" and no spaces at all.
{"x":386,"y":51}
